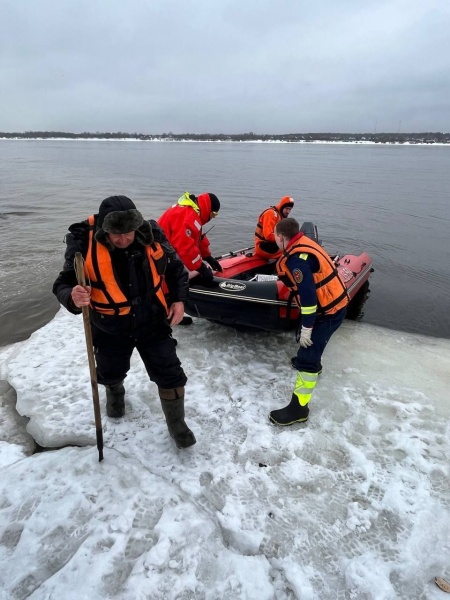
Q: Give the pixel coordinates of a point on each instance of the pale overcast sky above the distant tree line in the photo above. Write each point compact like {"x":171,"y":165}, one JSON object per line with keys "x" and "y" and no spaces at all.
{"x":230,"y":66}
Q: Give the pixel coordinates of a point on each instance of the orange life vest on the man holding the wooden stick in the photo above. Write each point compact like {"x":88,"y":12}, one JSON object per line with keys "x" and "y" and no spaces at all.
{"x":106,"y":296}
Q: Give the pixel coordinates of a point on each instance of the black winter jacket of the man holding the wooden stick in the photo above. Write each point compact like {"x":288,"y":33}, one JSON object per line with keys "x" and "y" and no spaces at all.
{"x":147,"y":318}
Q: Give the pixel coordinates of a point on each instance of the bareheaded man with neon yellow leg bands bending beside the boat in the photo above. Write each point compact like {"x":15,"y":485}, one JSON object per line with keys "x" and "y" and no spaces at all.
{"x":310,"y":273}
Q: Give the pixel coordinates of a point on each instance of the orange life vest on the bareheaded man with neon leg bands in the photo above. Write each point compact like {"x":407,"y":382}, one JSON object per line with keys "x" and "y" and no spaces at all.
{"x":330,"y":289}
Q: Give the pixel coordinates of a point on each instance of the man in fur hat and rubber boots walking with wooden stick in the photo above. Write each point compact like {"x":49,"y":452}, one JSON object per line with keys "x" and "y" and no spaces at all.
{"x":137,"y":285}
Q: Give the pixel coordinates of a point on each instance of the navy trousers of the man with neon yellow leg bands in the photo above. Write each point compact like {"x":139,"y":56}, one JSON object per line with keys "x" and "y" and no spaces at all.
{"x":309,"y":359}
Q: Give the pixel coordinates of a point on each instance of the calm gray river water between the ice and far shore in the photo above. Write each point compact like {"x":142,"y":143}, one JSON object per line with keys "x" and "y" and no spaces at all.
{"x":391,"y":201}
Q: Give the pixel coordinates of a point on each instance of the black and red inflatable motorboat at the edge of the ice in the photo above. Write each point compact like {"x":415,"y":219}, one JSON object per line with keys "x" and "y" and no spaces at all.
{"x":248,"y":293}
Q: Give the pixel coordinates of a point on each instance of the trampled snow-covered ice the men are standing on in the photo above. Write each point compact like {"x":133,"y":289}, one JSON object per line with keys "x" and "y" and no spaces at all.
{"x":355,"y":504}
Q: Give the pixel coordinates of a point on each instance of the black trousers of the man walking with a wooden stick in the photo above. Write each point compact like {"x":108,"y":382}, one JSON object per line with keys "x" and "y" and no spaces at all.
{"x":113,"y":354}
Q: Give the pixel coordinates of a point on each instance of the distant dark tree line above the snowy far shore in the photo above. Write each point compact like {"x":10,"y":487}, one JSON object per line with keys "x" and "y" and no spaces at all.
{"x":379,"y":138}
